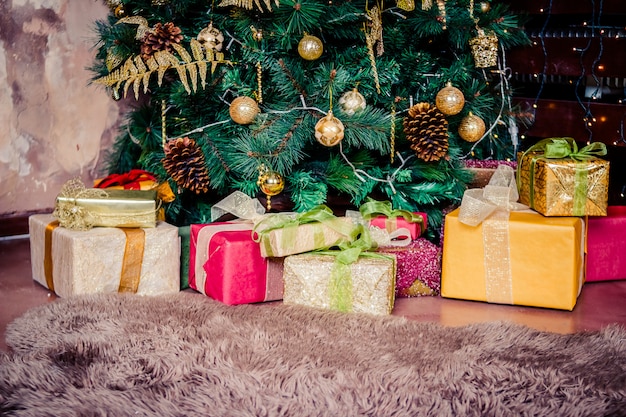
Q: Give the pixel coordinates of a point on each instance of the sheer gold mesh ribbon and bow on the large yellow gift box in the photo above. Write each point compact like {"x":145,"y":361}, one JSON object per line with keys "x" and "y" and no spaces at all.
{"x":490,"y":207}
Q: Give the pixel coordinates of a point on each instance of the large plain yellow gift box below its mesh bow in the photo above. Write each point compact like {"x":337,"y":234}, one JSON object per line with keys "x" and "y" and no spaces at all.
{"x":544,"y":255}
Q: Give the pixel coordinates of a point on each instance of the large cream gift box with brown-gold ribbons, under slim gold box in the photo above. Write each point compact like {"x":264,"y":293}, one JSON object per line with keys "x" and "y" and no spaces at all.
{"x":103,"y":259}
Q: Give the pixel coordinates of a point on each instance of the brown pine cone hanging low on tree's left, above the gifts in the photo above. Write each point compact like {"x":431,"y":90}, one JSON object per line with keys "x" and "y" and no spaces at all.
{"x":184,"y":162}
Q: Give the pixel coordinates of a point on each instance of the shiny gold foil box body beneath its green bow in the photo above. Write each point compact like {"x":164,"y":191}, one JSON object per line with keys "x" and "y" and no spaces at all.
{"x":564,"y":187}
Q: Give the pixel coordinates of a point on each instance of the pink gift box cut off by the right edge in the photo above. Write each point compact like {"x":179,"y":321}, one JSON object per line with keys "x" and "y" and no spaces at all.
{"x":606,"y":246}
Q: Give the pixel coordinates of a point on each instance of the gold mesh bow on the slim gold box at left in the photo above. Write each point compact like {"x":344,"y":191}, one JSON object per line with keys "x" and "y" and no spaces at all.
{"x":71,"y":215}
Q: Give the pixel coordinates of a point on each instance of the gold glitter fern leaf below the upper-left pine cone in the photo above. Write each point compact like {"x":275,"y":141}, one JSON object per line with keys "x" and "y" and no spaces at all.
{"x":137,"y":73}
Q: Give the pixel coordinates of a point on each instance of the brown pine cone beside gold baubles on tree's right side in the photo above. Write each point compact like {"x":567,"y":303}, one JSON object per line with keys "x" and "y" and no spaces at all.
{"x":426,"y":128}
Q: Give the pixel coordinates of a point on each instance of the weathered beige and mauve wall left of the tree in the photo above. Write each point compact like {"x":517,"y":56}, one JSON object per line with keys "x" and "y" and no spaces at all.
{"x":53,"y":125}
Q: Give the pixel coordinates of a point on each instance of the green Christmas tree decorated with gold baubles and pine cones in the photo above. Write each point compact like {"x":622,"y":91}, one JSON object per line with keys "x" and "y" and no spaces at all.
{"x":309,"y":102}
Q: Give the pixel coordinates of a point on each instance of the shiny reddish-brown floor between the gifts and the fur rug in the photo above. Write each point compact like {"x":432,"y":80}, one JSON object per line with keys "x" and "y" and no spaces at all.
{"x":600,"y":303}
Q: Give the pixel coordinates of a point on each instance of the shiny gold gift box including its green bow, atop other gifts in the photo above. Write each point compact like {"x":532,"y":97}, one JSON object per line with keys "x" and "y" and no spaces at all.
{"x":556,"y":178}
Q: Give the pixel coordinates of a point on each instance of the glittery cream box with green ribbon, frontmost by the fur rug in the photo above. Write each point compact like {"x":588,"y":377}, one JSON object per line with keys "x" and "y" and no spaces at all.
{"x":369,"y":287}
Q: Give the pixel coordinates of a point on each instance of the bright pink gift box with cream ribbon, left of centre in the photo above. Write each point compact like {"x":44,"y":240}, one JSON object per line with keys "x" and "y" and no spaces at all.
{"x":226,"y":264}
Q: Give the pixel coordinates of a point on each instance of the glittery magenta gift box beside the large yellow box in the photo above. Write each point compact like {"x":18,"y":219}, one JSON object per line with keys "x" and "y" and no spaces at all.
{"x":418,"y":268}
